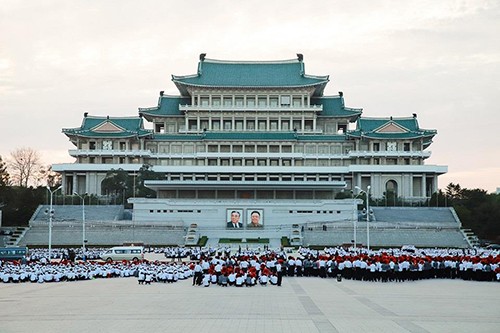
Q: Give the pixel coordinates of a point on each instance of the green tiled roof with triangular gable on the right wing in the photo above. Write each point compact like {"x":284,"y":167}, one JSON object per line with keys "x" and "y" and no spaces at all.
{"x":391,"y":128}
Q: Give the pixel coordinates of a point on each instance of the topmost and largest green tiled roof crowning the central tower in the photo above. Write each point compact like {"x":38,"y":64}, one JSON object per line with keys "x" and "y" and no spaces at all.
{"x":250,"y":74}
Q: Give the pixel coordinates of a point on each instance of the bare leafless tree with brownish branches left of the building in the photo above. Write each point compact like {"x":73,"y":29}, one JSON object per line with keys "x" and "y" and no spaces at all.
{"x":24,"y":166}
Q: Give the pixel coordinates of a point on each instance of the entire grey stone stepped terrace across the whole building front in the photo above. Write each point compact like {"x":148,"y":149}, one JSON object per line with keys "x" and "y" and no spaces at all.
{"x":111,"y":225}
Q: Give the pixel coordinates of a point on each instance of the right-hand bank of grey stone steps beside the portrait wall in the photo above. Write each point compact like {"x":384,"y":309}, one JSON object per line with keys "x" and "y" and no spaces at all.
{"x":394,"y":227}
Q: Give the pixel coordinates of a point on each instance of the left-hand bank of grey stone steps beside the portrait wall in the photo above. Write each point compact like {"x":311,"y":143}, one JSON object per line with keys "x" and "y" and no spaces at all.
{"x":104,"y":226}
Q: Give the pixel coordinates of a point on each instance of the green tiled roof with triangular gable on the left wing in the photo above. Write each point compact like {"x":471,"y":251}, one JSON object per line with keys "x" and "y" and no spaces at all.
{"x":109,"y":127}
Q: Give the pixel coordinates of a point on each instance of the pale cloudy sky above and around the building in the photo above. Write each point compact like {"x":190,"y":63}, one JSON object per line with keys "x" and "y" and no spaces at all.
{"x":439,"y":59}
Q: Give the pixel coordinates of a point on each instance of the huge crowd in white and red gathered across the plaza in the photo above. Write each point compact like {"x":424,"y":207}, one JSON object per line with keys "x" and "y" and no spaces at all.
{"x":246,"y":267}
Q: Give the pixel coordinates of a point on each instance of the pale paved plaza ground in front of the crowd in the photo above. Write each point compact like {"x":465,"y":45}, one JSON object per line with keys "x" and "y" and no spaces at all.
{"x":300,"y":305}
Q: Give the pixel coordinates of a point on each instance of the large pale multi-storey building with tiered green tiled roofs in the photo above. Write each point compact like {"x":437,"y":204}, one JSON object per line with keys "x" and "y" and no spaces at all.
{"x":250,"y":136}
